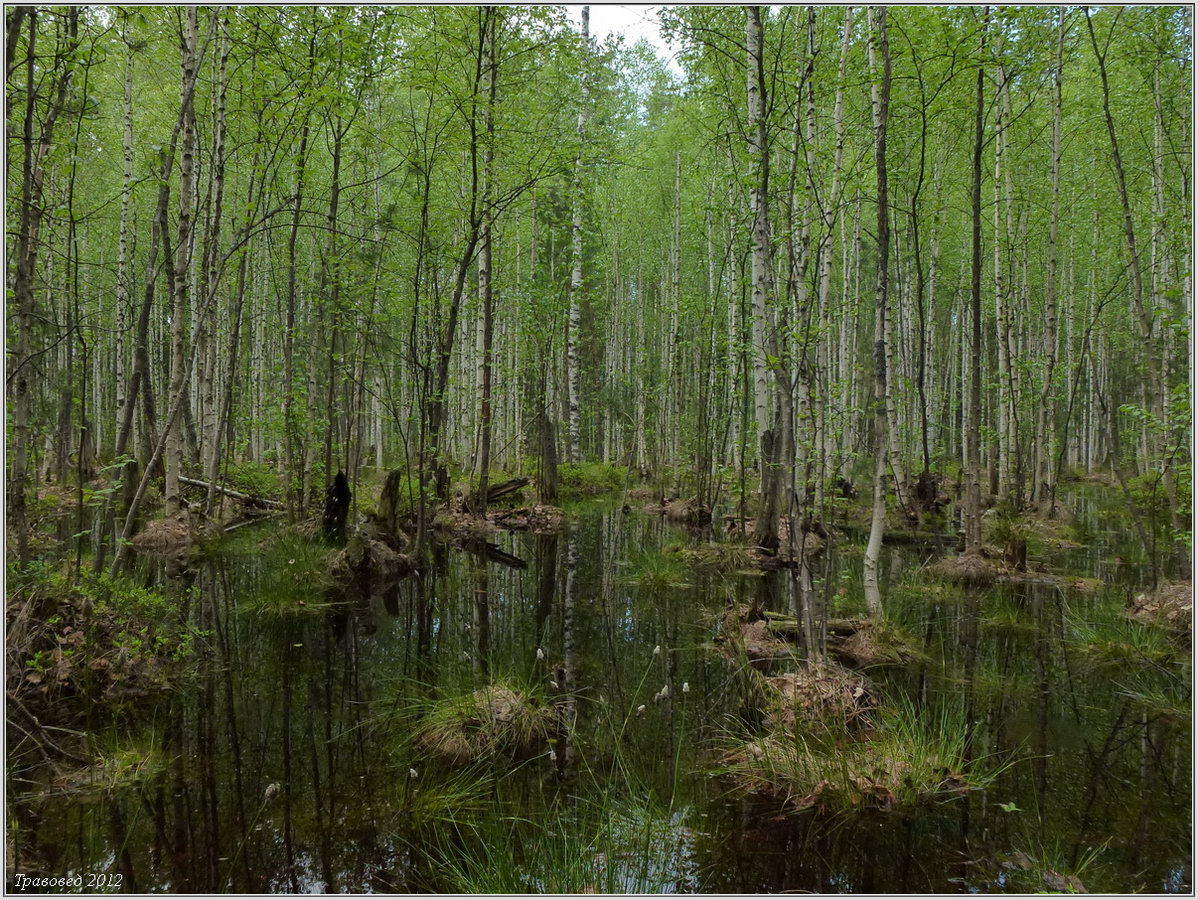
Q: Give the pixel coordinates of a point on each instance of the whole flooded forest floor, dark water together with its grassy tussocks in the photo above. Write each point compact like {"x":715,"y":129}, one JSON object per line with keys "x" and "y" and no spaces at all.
{"x":614,"y":699}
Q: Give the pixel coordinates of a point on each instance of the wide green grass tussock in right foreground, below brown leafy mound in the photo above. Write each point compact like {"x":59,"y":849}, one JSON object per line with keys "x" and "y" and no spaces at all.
{"x":912,"y":758}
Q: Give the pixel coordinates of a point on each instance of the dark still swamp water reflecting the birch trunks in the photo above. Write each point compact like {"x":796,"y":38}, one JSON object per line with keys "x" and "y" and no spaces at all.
{"x":288,"y":763}
